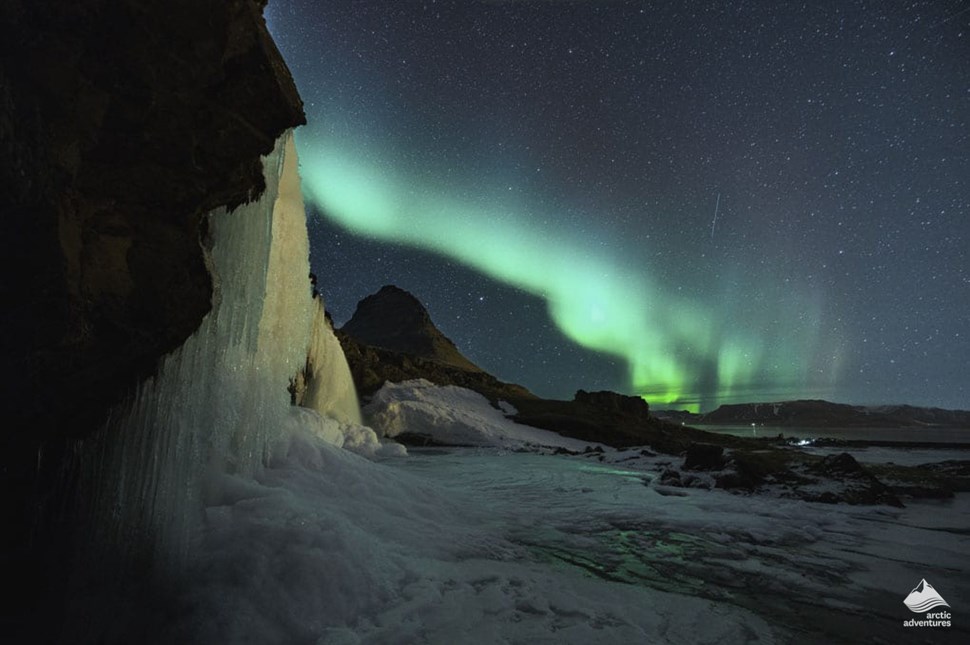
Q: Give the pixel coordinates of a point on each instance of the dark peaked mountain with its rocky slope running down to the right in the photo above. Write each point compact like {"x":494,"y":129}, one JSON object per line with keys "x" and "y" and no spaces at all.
{"x":394,"y":340}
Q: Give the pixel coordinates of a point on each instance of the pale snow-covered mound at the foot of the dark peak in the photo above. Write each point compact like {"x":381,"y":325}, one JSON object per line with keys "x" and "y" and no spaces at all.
{"x":454,"y":416}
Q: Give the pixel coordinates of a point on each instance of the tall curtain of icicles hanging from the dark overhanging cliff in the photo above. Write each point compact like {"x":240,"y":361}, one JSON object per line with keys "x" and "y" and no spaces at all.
{"x":218,"y":402}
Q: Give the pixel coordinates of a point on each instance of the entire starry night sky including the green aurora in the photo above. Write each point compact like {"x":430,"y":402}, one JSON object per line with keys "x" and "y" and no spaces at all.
{"x":696,"y":202}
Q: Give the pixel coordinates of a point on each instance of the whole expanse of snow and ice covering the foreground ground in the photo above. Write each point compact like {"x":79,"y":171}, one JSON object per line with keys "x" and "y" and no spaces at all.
{"x":482,"y":545}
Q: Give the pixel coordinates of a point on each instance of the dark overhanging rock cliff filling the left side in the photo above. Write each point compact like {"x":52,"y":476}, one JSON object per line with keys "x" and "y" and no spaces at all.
{"x":121,"y":124}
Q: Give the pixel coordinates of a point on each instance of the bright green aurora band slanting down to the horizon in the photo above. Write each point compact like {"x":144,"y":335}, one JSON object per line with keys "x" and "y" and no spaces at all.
{"x":599,"y":299}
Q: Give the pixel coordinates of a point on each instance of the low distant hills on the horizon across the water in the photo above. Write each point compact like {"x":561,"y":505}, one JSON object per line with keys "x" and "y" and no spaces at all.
{"x":825,"y":414}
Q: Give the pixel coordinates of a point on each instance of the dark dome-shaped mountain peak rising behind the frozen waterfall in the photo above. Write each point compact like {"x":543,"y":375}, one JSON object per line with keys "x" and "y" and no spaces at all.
{"x":394,"y":319}
